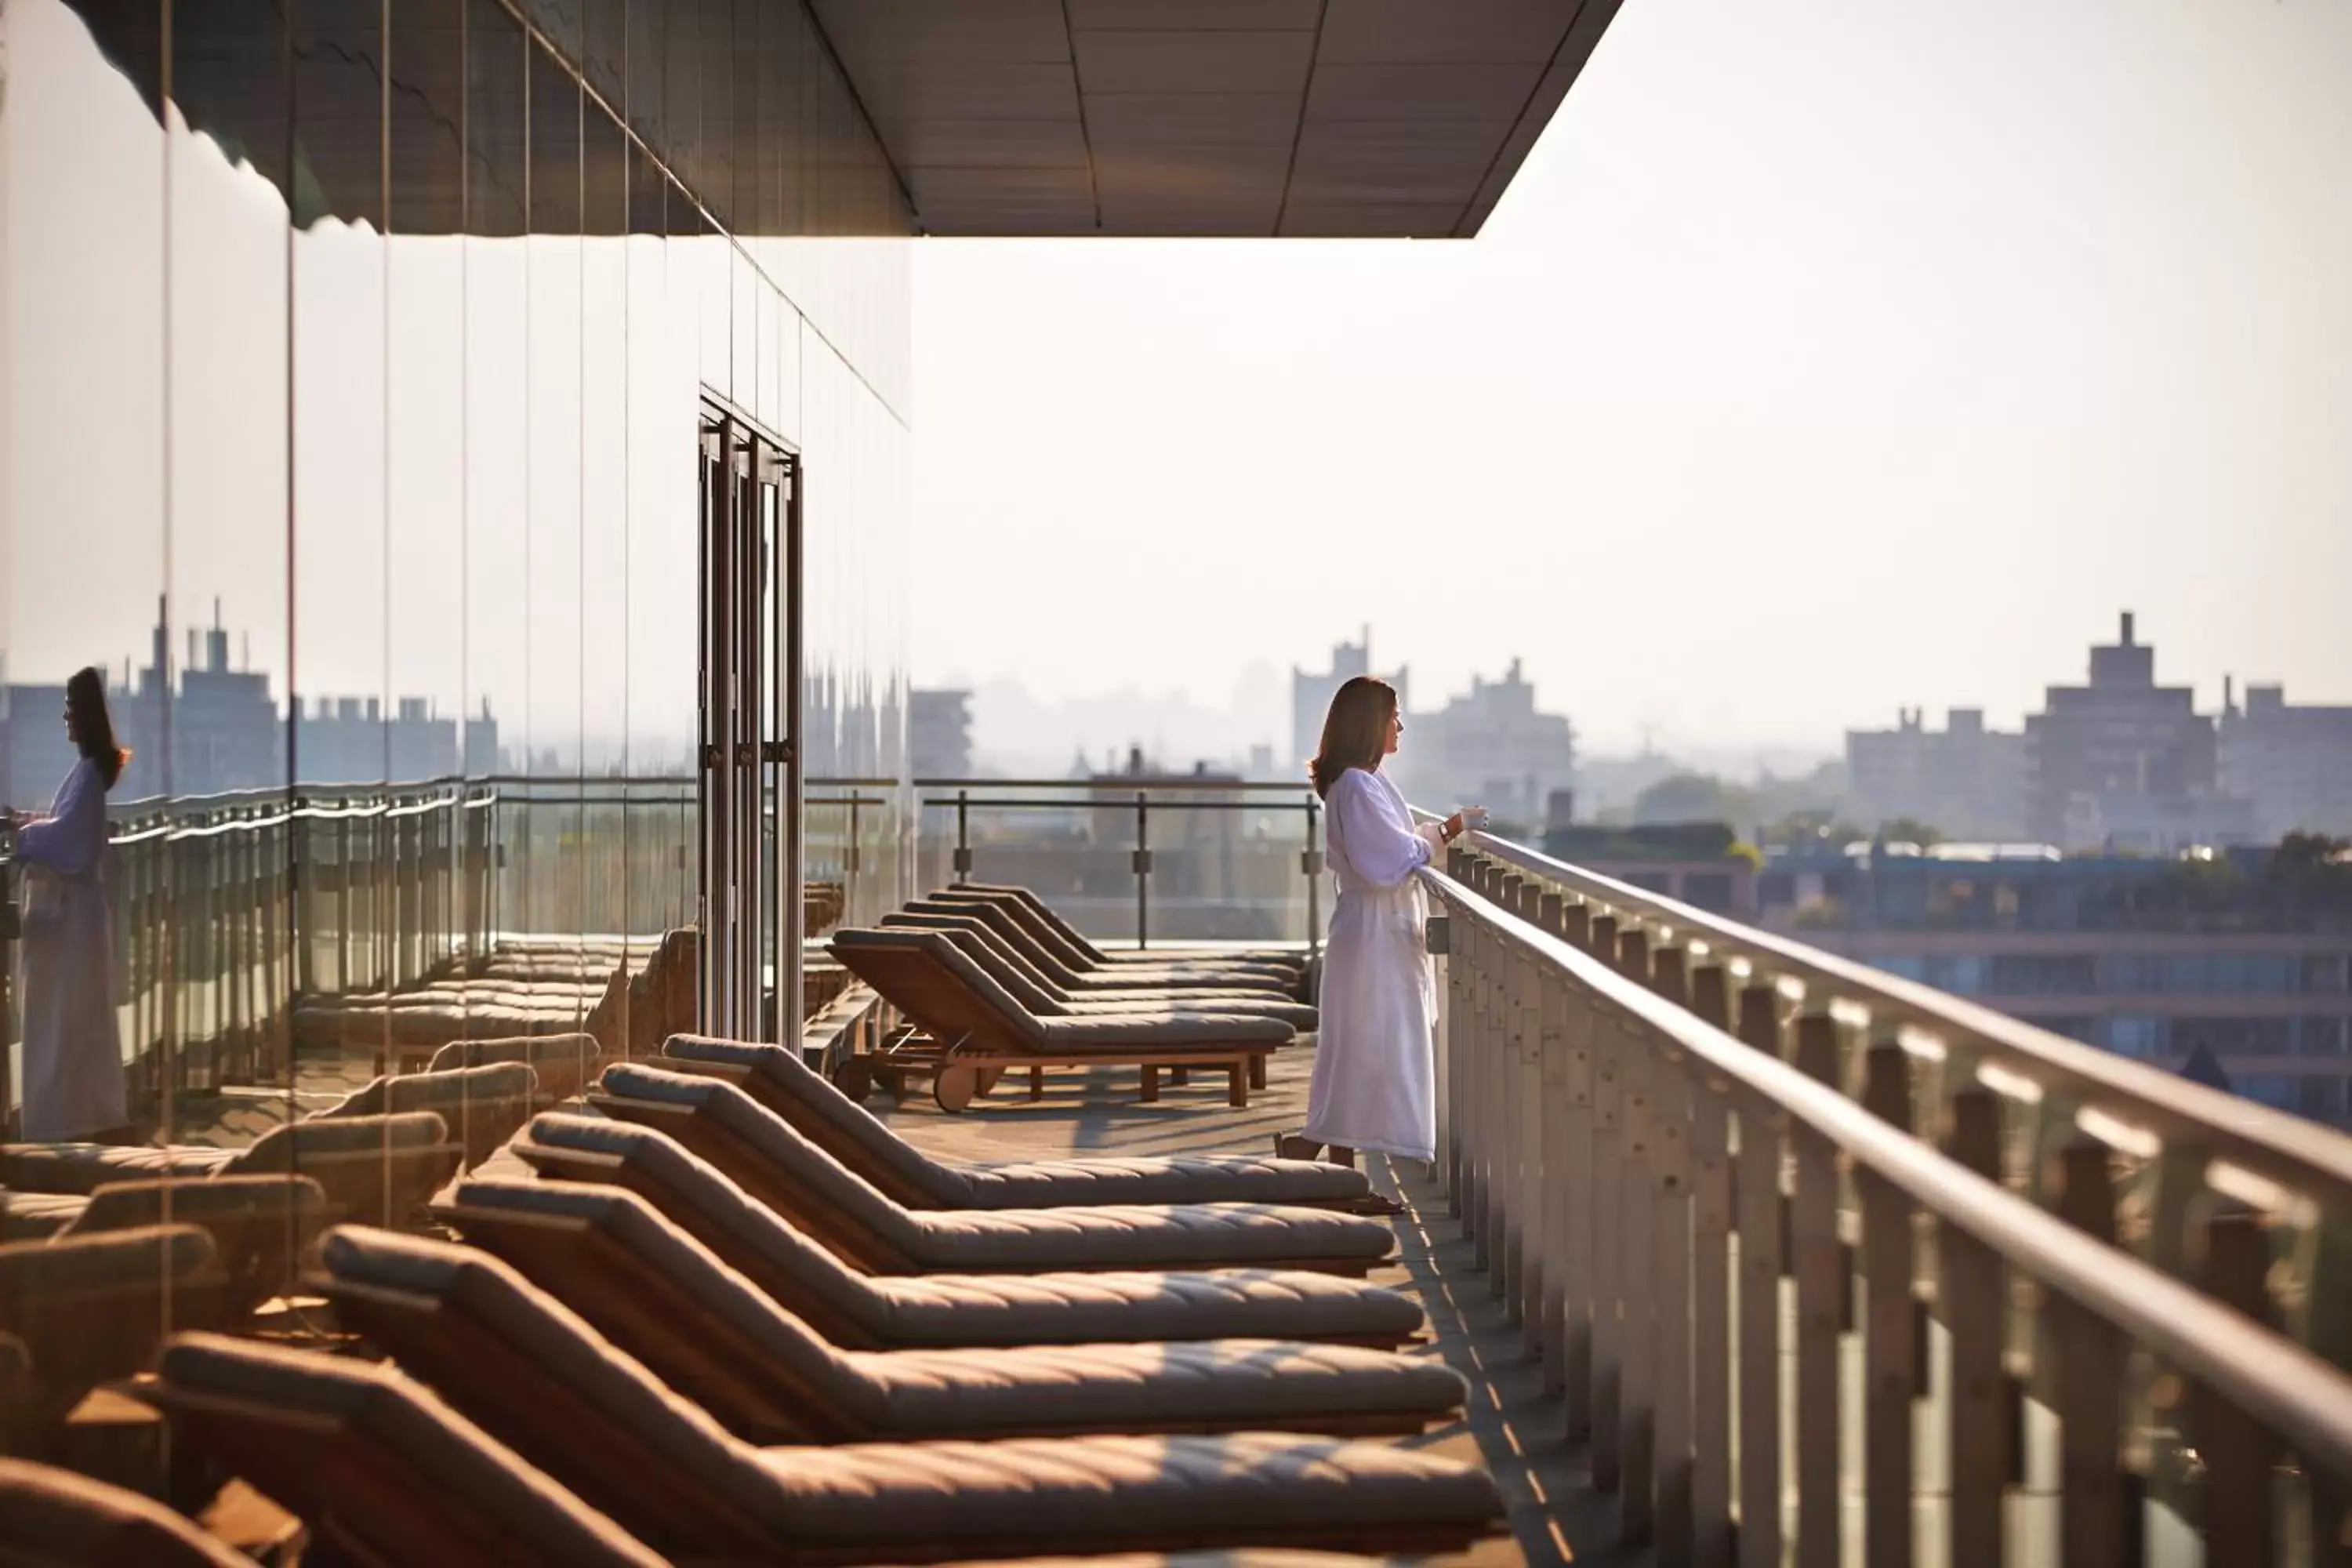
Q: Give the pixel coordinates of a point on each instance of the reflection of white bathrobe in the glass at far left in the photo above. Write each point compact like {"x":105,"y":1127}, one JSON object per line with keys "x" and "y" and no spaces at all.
{"x":72,"y":1050}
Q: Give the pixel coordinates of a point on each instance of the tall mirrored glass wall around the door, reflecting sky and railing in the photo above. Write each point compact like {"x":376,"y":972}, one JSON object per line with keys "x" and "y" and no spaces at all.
{"x":349,"y":429}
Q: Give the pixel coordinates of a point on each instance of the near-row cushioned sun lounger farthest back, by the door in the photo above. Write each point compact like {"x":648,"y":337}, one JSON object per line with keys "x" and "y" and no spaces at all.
{"x":846,"y":1130}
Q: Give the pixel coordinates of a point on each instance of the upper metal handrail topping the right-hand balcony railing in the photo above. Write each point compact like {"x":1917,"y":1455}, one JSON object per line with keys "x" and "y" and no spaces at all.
{"x":2276,"y":1146}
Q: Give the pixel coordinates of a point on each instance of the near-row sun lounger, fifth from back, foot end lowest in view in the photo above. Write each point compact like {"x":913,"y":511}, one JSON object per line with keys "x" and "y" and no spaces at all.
{"x":664,"y":1470}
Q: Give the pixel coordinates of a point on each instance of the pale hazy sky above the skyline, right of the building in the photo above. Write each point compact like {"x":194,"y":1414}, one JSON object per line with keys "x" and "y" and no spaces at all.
{"x":1824,"y":359}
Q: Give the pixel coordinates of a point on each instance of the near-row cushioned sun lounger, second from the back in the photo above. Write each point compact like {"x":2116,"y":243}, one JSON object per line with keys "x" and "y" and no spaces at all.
{"x":782,"y":1170}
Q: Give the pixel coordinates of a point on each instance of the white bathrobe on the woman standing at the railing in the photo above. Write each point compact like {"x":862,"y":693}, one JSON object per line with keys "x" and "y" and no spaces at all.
{"x":1375,"y":1059}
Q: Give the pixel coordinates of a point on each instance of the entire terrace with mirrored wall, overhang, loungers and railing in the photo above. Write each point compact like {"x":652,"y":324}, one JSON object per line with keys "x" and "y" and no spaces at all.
{"x":540,"y":373}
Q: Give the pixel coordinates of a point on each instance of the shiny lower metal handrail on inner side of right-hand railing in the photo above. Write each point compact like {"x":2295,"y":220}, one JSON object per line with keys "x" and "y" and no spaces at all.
{"x":2287,"y":1388}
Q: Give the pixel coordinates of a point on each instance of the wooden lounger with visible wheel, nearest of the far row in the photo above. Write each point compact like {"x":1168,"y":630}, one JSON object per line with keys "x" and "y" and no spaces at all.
{"x":980,"y":1026}
